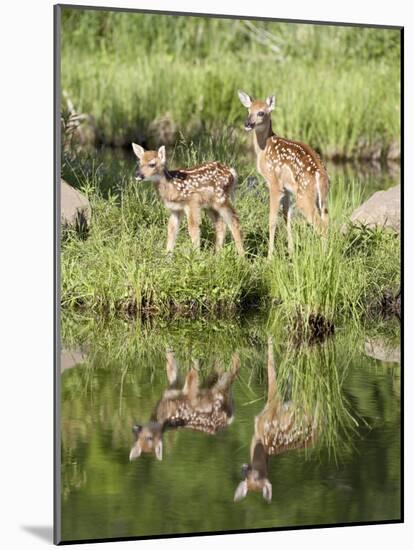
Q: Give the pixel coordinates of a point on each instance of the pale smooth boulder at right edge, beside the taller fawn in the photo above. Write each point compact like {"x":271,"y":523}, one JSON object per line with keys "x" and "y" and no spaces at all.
{"x":382,"y":209}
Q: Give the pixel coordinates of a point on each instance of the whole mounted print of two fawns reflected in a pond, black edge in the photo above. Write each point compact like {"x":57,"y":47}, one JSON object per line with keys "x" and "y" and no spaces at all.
{"x":228,"y":274}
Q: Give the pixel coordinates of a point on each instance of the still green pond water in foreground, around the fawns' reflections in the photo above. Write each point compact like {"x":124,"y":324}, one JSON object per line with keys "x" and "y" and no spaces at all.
{"x":350,"y":474}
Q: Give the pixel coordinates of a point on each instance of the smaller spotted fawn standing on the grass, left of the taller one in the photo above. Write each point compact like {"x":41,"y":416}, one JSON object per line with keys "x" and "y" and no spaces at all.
{"x":209,"y":186}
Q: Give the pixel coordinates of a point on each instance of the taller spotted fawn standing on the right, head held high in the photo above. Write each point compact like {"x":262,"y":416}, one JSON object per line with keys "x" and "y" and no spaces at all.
{"x":289,"y":168}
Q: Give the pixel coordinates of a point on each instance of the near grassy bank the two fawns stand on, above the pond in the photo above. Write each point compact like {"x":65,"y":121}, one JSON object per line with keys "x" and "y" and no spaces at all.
{"x":122,"y":267}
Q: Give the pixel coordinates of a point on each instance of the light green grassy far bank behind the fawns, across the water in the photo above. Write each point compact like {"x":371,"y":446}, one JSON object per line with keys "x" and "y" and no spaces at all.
{"x":152,"y":78}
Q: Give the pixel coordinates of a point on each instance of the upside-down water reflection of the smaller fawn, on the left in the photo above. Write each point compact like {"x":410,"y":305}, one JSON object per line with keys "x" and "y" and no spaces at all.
{"x":206,"y":409}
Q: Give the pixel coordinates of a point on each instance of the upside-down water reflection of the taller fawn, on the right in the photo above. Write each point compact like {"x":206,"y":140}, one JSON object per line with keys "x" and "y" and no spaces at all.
{"x":281,"y":426}
